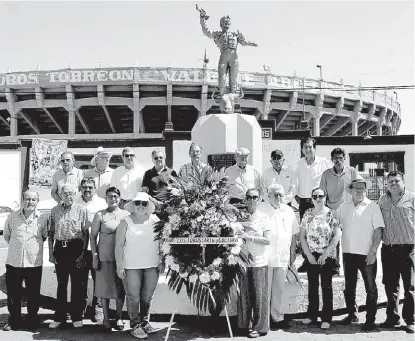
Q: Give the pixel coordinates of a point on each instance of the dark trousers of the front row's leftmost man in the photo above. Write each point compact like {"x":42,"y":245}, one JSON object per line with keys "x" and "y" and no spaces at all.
{"x":14,"y":280}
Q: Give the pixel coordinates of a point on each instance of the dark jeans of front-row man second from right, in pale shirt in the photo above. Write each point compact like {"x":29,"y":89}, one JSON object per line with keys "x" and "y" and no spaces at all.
{"x":352,"y":264}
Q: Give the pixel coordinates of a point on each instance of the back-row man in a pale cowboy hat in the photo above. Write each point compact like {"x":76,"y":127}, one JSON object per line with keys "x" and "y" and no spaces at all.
{"x":101,"y":171}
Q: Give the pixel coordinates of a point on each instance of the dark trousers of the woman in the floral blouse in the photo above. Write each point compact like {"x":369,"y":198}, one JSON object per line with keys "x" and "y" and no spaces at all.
{"x":325,"y":272}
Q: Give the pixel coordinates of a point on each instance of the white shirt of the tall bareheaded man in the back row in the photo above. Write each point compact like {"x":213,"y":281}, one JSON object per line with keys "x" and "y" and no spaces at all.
{"x":307,"y":177}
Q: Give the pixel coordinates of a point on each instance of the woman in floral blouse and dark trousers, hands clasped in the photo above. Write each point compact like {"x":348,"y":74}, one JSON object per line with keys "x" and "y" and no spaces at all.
{"x":320,"y":231}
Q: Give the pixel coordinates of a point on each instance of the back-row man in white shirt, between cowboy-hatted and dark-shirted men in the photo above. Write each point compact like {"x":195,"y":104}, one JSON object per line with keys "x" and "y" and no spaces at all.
{"x":127,"y":178}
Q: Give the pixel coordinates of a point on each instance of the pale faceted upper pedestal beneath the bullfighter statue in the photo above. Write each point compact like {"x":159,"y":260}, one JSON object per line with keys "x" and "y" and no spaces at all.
{"x":223,"y":134}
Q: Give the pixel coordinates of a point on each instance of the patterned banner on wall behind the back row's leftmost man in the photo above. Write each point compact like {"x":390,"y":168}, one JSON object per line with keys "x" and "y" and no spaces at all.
{"x":45,"y":160}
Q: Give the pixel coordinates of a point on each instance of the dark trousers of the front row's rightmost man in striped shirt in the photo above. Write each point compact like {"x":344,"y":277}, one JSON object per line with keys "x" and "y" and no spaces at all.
{"x":398,"y":261}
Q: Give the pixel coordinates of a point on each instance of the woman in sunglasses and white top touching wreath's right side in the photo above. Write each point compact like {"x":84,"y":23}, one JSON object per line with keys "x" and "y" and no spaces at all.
{"x":253,"y":299}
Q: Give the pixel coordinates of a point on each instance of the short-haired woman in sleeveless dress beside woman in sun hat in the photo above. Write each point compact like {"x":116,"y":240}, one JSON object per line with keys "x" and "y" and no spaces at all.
{"x":107,"y":284}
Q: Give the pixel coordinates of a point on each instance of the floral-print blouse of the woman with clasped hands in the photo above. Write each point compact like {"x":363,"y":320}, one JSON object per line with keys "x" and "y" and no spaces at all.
{"x":320,"y":230}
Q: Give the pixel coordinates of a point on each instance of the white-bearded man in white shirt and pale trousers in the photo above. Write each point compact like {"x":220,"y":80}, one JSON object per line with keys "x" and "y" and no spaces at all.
{"x":284,"y":231}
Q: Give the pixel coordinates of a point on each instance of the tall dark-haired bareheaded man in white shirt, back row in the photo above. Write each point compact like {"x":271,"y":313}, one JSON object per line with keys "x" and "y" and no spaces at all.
{"x":307,"y":174}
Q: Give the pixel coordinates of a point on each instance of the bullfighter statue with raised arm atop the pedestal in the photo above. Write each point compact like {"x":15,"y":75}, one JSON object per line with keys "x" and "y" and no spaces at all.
{"x":227,"y":42}
